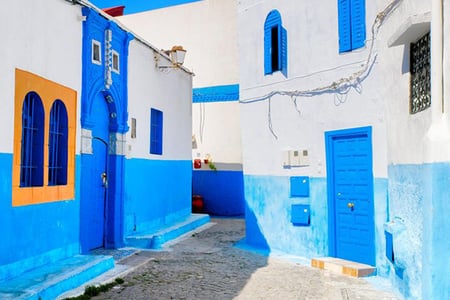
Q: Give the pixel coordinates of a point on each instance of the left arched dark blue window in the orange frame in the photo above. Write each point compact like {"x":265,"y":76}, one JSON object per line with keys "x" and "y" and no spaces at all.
{"x":32,"y":144}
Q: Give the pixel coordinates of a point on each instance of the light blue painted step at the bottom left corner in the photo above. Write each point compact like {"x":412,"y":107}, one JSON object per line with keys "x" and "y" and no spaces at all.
{"x":49,"y":281}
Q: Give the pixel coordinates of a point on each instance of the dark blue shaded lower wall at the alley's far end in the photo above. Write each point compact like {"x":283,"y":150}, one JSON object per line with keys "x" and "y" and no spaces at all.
{"x":222,"y":191}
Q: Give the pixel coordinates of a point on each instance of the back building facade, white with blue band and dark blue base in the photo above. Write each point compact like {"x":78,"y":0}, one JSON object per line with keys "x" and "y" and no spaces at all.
{"x":212,"y":54}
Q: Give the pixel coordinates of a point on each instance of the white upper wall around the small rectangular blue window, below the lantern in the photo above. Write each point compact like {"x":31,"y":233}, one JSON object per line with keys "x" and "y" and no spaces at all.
{"x":167,"y":90}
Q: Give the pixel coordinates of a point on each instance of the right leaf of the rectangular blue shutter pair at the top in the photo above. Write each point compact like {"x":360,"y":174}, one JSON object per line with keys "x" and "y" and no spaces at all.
{"x":358,"y":23}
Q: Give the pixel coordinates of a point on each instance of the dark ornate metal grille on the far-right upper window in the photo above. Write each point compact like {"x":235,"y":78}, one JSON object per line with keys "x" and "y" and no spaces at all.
{"x":420,"y":75}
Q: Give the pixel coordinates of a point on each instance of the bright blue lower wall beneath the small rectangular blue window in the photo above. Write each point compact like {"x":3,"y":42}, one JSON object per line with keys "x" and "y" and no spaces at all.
{"x":157,"y":193}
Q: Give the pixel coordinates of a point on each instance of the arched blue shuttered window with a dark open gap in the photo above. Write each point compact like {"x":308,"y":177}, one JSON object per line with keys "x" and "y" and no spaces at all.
{"x":275,"y":44}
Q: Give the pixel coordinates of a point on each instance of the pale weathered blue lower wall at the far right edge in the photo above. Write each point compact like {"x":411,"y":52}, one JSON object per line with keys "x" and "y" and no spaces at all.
{"x":419,"y":221}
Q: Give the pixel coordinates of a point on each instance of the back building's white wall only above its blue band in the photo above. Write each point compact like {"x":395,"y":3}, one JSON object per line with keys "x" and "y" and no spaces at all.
{"x":206,"y":29}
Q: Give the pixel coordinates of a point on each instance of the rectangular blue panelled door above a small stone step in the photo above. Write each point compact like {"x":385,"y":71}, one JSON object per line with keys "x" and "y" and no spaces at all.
{"x":350,"y":188}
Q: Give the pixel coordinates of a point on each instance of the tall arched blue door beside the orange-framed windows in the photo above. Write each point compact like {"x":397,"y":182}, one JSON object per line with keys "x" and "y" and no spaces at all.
{"x":94,"y":181}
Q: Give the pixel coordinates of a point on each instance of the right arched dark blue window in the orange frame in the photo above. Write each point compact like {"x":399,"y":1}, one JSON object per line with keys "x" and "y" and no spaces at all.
{"x":57,"y":147}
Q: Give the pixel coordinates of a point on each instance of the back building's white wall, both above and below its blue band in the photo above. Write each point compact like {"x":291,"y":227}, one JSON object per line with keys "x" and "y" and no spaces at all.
{"x":208,"y":31}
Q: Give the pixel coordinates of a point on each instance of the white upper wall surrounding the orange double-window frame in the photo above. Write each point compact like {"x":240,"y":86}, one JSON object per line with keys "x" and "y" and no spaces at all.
{"x":42,"y":37}
